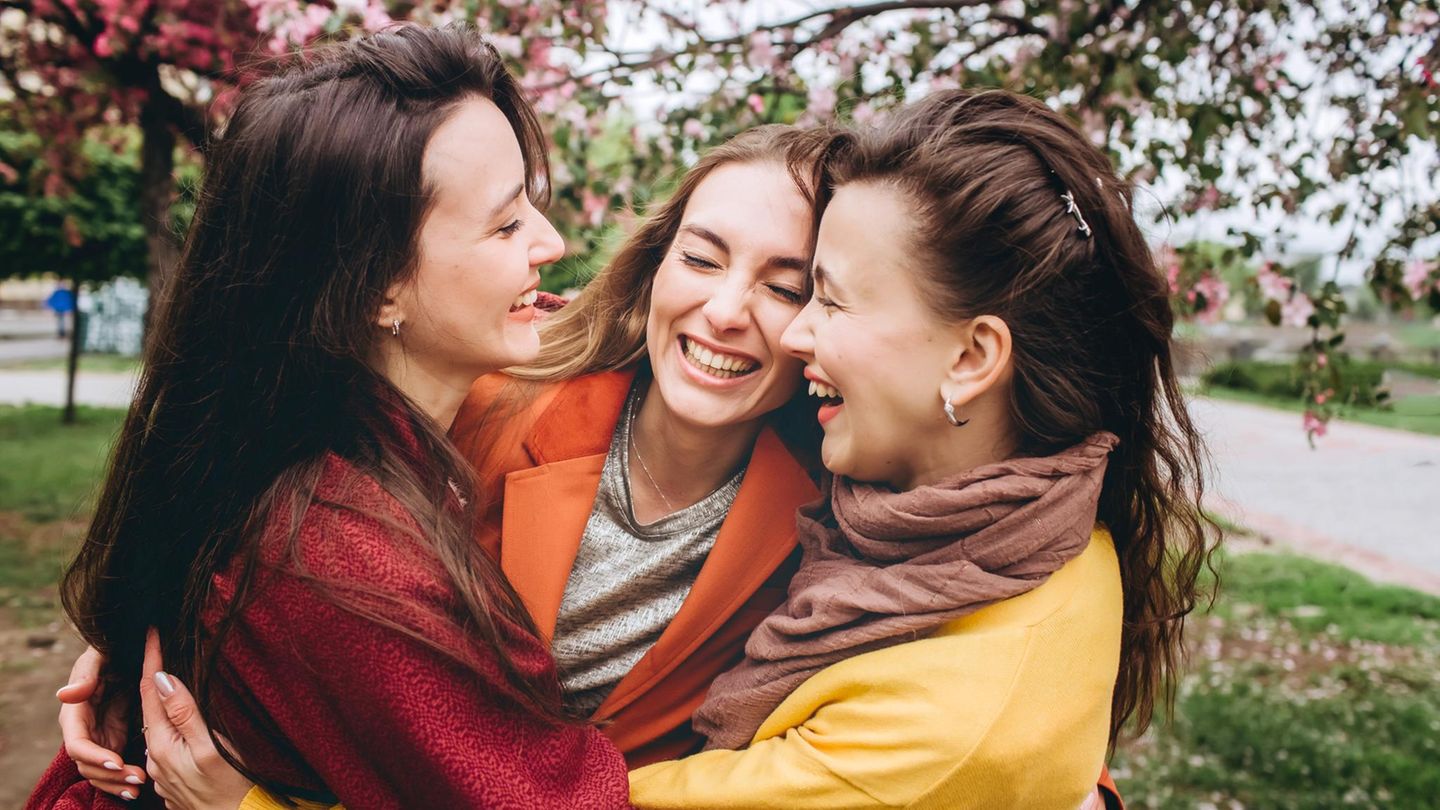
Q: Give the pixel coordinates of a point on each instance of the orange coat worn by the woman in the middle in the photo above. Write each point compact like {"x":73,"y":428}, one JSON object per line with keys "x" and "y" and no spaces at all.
{"x":545,"y":463}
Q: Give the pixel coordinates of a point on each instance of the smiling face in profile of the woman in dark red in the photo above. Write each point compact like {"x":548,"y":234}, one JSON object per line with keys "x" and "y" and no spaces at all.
{"x":469,"y":308}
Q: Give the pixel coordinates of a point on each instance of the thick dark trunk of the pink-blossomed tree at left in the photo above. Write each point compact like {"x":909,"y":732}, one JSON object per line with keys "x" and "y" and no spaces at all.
{"x":158,"y":162}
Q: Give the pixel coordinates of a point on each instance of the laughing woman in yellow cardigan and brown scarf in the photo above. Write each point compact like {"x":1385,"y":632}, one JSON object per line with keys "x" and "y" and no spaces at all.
{"x":997,"y":584}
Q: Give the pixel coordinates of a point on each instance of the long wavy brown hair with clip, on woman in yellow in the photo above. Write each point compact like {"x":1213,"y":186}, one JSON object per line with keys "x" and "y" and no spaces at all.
{"x":1091,"y":318}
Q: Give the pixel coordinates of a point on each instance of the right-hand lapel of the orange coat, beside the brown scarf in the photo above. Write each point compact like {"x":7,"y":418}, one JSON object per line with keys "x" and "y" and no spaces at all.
{"x":754,"y":541}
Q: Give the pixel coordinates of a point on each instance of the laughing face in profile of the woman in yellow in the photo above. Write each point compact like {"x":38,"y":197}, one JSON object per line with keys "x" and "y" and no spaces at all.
{"x":869,"y":338}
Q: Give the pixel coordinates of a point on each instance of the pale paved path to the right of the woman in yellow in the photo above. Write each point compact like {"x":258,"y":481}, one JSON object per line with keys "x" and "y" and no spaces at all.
{"x":1369,"y":498}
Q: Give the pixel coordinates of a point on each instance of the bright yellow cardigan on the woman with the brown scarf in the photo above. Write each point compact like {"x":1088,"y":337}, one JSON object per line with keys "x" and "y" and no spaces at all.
{"x":1009,"y":707}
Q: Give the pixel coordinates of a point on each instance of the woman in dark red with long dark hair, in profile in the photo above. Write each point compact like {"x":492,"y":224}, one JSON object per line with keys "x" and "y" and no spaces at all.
{"x":284,"y":507}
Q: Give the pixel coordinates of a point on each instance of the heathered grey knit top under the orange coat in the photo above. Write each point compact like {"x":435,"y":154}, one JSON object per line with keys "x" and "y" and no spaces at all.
{"x":629,"y":580}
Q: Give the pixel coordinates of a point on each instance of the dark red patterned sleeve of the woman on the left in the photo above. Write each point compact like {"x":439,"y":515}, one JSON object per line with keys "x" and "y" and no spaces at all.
{"x":374,"y":713}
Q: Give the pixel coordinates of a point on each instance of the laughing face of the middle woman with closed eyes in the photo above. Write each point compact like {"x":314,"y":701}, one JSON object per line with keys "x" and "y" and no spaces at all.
{"x":728,"y":288}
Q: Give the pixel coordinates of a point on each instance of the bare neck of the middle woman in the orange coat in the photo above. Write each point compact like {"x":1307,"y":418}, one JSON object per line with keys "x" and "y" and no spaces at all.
{"x":686,"y":460}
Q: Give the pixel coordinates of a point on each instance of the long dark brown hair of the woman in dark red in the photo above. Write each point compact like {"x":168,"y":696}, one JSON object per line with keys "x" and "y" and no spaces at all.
{"x":310,"y":210}
